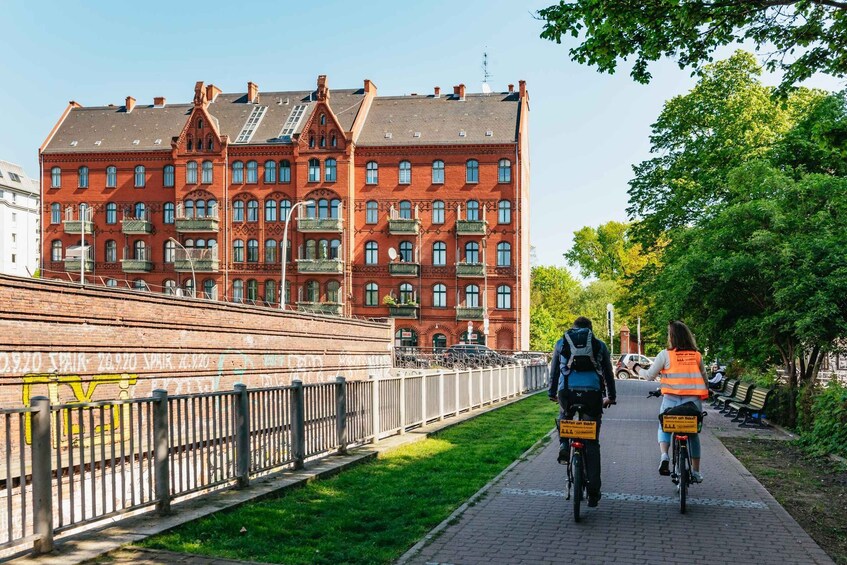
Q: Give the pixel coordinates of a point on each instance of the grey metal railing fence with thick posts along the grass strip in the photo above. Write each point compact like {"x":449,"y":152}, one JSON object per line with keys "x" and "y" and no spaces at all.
{"x":72,"y":464}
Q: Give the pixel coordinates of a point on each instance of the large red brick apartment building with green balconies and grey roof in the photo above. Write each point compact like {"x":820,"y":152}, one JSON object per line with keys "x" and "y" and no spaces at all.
{"x":420,"y":204}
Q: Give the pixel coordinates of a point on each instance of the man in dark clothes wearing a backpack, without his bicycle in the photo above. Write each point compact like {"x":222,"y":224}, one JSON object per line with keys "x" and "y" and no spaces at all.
{"x":581,"y":373}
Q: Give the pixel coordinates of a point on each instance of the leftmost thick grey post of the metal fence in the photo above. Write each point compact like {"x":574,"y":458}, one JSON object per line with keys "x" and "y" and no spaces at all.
{"x":42,"y":476}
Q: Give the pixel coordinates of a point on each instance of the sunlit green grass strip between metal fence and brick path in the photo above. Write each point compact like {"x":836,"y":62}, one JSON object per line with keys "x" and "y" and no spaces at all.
{"x":376,"y":511}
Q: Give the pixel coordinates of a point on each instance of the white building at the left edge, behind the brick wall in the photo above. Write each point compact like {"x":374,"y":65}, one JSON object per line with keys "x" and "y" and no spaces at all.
{"x":19,"y":221}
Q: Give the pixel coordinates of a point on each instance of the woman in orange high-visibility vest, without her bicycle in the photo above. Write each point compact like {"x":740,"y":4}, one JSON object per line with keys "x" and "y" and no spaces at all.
{"x":683,"y":379}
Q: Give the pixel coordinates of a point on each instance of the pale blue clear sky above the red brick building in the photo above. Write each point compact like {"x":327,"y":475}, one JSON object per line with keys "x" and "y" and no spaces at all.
{"x":586,"y":129}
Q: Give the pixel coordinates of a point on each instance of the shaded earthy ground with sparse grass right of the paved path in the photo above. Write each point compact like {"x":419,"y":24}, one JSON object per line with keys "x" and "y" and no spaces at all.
{"x":812,"y":489}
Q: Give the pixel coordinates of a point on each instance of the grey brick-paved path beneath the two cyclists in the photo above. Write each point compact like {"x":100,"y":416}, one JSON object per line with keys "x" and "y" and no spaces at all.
{"x":524,"y":517}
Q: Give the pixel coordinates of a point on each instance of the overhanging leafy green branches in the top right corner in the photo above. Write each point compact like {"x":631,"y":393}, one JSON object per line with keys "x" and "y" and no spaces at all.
{"x":803,"y":37}
